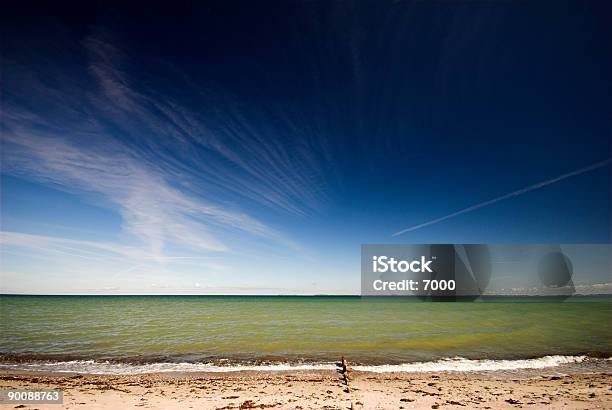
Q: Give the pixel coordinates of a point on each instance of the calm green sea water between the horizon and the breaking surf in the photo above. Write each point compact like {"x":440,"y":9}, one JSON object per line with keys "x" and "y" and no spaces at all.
{"x":247,"y":329}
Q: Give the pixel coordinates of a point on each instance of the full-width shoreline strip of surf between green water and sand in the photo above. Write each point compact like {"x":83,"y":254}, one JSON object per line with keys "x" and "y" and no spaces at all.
{"x":552,"y":363}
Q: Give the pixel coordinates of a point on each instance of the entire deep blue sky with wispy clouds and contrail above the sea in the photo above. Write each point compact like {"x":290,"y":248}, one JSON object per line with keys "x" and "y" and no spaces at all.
{"x":251,"y":148}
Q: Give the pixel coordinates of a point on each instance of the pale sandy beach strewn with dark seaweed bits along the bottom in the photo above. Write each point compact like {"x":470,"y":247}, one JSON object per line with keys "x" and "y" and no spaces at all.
{"x":319,"y":390}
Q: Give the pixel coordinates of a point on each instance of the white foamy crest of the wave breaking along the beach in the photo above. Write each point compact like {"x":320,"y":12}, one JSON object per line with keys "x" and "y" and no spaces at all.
{"x":456,"y":364}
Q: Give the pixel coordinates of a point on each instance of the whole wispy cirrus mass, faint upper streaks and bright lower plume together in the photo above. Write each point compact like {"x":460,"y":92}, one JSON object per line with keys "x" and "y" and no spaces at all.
{"x":176,"y":177}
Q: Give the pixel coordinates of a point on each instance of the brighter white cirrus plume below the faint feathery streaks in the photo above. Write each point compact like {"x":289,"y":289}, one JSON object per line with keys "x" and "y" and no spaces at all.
{"x":152,"y":210}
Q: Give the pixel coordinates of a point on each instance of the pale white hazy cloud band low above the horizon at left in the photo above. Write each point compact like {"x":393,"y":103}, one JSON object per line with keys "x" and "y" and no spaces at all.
{"x":61,"y":265}
